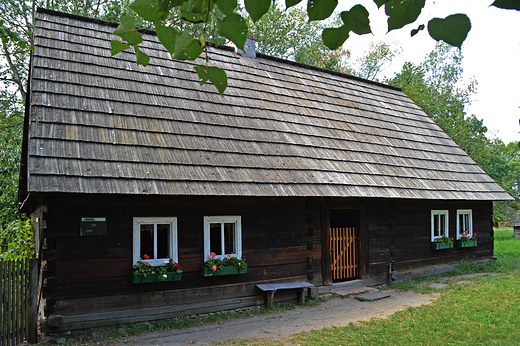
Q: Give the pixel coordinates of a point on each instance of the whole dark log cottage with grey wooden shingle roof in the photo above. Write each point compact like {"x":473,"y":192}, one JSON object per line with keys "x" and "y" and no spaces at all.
{"x":306,"y":174}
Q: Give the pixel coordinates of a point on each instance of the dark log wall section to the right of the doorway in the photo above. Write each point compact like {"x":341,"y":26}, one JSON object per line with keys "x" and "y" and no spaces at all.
{"x":400,"y":231}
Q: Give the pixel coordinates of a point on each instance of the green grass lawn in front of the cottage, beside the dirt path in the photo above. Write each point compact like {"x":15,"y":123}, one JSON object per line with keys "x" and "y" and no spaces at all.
{"x":485,"y":311}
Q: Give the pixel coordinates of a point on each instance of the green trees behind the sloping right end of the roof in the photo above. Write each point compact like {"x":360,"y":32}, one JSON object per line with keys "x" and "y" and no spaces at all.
{"x":435,"y":86}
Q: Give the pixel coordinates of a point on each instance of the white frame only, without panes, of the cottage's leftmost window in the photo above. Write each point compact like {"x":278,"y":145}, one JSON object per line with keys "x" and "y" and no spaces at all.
{"x":172,"y":221}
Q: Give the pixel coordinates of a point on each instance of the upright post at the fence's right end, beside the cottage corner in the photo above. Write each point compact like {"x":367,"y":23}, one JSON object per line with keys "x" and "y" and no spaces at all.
{"x":33,"y":291}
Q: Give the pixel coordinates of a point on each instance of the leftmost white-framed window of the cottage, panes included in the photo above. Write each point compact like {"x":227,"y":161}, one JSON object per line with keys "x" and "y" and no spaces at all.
{"x":155,"y":237}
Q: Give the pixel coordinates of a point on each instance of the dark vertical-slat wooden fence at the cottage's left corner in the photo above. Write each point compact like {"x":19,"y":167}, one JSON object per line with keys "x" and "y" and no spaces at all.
{"x":18,"y":301}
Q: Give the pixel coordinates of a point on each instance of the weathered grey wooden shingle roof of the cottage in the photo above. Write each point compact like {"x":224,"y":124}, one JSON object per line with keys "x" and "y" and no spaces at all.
{"x":103,"y":125}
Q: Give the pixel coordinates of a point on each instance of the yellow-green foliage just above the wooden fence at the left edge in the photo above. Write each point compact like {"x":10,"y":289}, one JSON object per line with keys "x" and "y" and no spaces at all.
{"x":18,"y":235}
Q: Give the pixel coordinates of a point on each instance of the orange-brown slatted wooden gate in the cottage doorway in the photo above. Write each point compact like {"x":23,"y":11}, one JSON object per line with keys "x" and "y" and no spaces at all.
{"x":344,"y":253}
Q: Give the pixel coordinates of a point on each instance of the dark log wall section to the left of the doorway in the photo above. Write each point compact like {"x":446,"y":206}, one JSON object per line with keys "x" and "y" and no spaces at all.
{"x":278,"y":236}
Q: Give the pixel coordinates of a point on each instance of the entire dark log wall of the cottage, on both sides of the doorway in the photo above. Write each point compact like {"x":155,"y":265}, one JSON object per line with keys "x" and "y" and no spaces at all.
{"x":85,"y":274}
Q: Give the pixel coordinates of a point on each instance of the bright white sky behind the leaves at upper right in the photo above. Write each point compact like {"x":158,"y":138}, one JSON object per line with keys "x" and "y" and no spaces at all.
{"x":491,"y":55}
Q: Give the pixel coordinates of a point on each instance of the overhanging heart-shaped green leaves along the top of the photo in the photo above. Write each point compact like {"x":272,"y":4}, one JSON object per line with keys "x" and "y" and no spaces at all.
{"x":221,"y":17}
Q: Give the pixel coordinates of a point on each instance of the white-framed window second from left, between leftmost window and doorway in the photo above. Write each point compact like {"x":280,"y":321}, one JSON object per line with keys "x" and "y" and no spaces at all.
{"x":222,"y":235}
